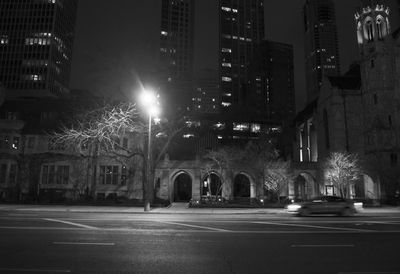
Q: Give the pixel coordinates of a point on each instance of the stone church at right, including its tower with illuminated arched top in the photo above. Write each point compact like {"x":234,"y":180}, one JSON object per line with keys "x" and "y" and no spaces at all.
{"x":358,"y":112}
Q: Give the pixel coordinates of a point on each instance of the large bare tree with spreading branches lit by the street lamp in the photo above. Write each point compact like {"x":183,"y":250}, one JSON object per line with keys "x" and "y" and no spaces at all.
{"x":97,"y":132}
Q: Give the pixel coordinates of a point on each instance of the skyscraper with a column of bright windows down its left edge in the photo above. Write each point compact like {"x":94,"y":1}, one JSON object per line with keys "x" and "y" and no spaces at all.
{"x":241,"y":29}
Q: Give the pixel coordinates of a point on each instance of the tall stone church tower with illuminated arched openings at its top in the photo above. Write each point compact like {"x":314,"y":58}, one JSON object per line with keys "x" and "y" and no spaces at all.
{"x":380,"y":89}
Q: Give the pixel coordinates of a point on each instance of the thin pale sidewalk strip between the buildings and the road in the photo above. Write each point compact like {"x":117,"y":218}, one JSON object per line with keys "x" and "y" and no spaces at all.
{"x":174,"y":209}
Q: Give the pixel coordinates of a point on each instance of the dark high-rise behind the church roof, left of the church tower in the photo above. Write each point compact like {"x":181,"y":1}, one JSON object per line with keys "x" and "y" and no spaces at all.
{"x":321,"y":44}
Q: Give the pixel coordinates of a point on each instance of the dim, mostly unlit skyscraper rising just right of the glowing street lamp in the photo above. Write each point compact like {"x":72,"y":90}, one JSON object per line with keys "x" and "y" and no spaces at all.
{"x":176,"y":53}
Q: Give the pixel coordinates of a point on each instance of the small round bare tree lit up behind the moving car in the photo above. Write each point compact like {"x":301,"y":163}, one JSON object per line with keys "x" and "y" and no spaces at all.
{"x":342,"y":169}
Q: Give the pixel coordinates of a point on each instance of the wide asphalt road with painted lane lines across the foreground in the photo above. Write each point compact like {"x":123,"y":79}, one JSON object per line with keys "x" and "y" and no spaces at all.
{"x":62,"y":242}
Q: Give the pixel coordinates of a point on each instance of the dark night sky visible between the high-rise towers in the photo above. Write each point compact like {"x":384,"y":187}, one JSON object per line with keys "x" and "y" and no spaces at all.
{"x":117,"y":44}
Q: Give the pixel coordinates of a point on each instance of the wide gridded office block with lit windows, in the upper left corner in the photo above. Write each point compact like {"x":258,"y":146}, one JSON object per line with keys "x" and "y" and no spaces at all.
{"x":36,"y":38}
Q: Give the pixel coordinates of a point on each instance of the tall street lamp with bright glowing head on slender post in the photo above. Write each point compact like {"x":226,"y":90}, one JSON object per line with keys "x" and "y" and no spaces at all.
{"x":149,"y":101}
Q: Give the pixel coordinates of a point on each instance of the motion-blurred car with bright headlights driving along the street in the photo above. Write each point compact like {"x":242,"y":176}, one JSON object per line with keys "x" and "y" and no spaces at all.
{"x":325,"y":205}
